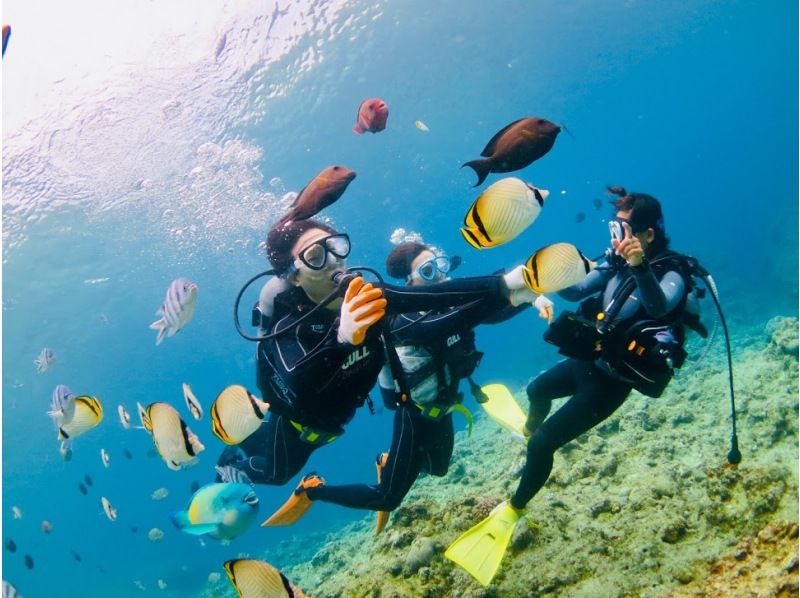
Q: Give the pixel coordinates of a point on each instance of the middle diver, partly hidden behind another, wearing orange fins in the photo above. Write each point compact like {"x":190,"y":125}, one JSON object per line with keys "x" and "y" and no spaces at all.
{"x":436,"y":350}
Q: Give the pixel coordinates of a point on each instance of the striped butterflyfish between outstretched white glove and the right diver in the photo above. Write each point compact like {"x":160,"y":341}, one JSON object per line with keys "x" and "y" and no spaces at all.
{"x":556,"y":267}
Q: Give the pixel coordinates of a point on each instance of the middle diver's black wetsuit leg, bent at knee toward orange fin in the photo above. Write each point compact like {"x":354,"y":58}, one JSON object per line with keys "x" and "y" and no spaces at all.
{"x":401,"y":470}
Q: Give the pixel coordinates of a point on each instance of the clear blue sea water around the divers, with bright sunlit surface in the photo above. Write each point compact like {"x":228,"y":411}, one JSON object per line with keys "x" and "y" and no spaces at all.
{"x":148,"y":146}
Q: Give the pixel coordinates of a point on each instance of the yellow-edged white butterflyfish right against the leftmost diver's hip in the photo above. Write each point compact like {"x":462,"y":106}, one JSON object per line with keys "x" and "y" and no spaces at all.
{"x":236,"y":413}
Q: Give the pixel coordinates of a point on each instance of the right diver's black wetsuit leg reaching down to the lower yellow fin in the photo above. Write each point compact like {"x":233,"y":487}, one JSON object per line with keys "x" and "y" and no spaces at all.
{"x":596,"y":398}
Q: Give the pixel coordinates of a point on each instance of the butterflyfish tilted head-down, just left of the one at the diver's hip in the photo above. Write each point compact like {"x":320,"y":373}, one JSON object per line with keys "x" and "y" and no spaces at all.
{"x":175,"y":442}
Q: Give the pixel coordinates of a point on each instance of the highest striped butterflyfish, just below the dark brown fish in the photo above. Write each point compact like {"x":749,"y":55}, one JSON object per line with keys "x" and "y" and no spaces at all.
{"x":501,"y":212}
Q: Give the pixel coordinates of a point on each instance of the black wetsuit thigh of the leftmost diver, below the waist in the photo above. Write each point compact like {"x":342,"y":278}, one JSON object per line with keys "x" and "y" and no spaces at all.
{"x":274,"y":453}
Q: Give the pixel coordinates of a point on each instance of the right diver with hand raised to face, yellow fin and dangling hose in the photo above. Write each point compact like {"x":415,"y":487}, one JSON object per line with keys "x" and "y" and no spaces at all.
{"x":628,"y":334}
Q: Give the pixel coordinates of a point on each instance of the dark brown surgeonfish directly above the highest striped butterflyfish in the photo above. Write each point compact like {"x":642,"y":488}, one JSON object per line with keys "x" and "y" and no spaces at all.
{"x":515,"y":146}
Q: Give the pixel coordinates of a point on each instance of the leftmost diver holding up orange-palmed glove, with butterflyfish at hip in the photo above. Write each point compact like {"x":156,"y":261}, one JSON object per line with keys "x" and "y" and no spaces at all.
{"x":321,"y":353}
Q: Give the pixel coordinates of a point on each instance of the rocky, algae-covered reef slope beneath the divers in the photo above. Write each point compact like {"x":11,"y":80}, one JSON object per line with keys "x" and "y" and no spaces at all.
{"x":644,"y":505}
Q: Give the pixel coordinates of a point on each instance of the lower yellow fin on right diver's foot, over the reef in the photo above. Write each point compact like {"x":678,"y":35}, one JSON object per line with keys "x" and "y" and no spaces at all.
{"x":480,"y":549}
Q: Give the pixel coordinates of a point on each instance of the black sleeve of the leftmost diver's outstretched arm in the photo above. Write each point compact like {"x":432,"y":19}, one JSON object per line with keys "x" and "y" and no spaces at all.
{"x":444,"y":295}
